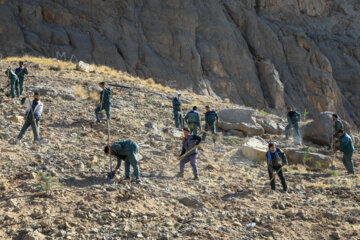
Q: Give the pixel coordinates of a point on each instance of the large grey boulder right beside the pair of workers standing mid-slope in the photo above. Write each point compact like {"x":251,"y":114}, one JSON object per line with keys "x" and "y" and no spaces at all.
{"x":240,"y":119}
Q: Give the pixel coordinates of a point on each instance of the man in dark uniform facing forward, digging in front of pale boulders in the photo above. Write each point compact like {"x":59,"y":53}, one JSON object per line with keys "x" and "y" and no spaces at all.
{"x":276,"y":159}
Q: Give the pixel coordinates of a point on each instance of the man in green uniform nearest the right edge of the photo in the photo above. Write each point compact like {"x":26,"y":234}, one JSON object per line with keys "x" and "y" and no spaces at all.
{"x":345,"y":145}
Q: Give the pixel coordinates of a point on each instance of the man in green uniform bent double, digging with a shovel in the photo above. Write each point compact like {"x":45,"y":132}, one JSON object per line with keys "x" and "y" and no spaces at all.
{"x":127,"y":151}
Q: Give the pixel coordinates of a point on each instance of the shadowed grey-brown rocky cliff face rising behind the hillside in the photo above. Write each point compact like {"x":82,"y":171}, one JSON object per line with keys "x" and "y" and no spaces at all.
{"x":308,"y":50}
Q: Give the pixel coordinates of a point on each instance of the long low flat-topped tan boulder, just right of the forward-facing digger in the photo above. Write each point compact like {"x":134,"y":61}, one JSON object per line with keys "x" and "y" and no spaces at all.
{"x":314,"y":160}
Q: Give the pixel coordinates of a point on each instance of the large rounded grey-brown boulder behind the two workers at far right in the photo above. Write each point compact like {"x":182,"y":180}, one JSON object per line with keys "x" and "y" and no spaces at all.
{"x":320,"y":128}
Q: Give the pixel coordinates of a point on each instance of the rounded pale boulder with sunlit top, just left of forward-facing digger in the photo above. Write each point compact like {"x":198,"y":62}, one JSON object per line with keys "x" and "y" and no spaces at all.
{"x":255,"y":149}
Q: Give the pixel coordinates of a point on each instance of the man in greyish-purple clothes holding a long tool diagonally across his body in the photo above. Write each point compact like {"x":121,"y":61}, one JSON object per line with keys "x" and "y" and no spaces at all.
{"x":189,"y":153}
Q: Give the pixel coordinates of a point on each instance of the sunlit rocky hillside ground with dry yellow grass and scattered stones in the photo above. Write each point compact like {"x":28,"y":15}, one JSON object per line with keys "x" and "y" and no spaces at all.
{"x":232,"y":200}
